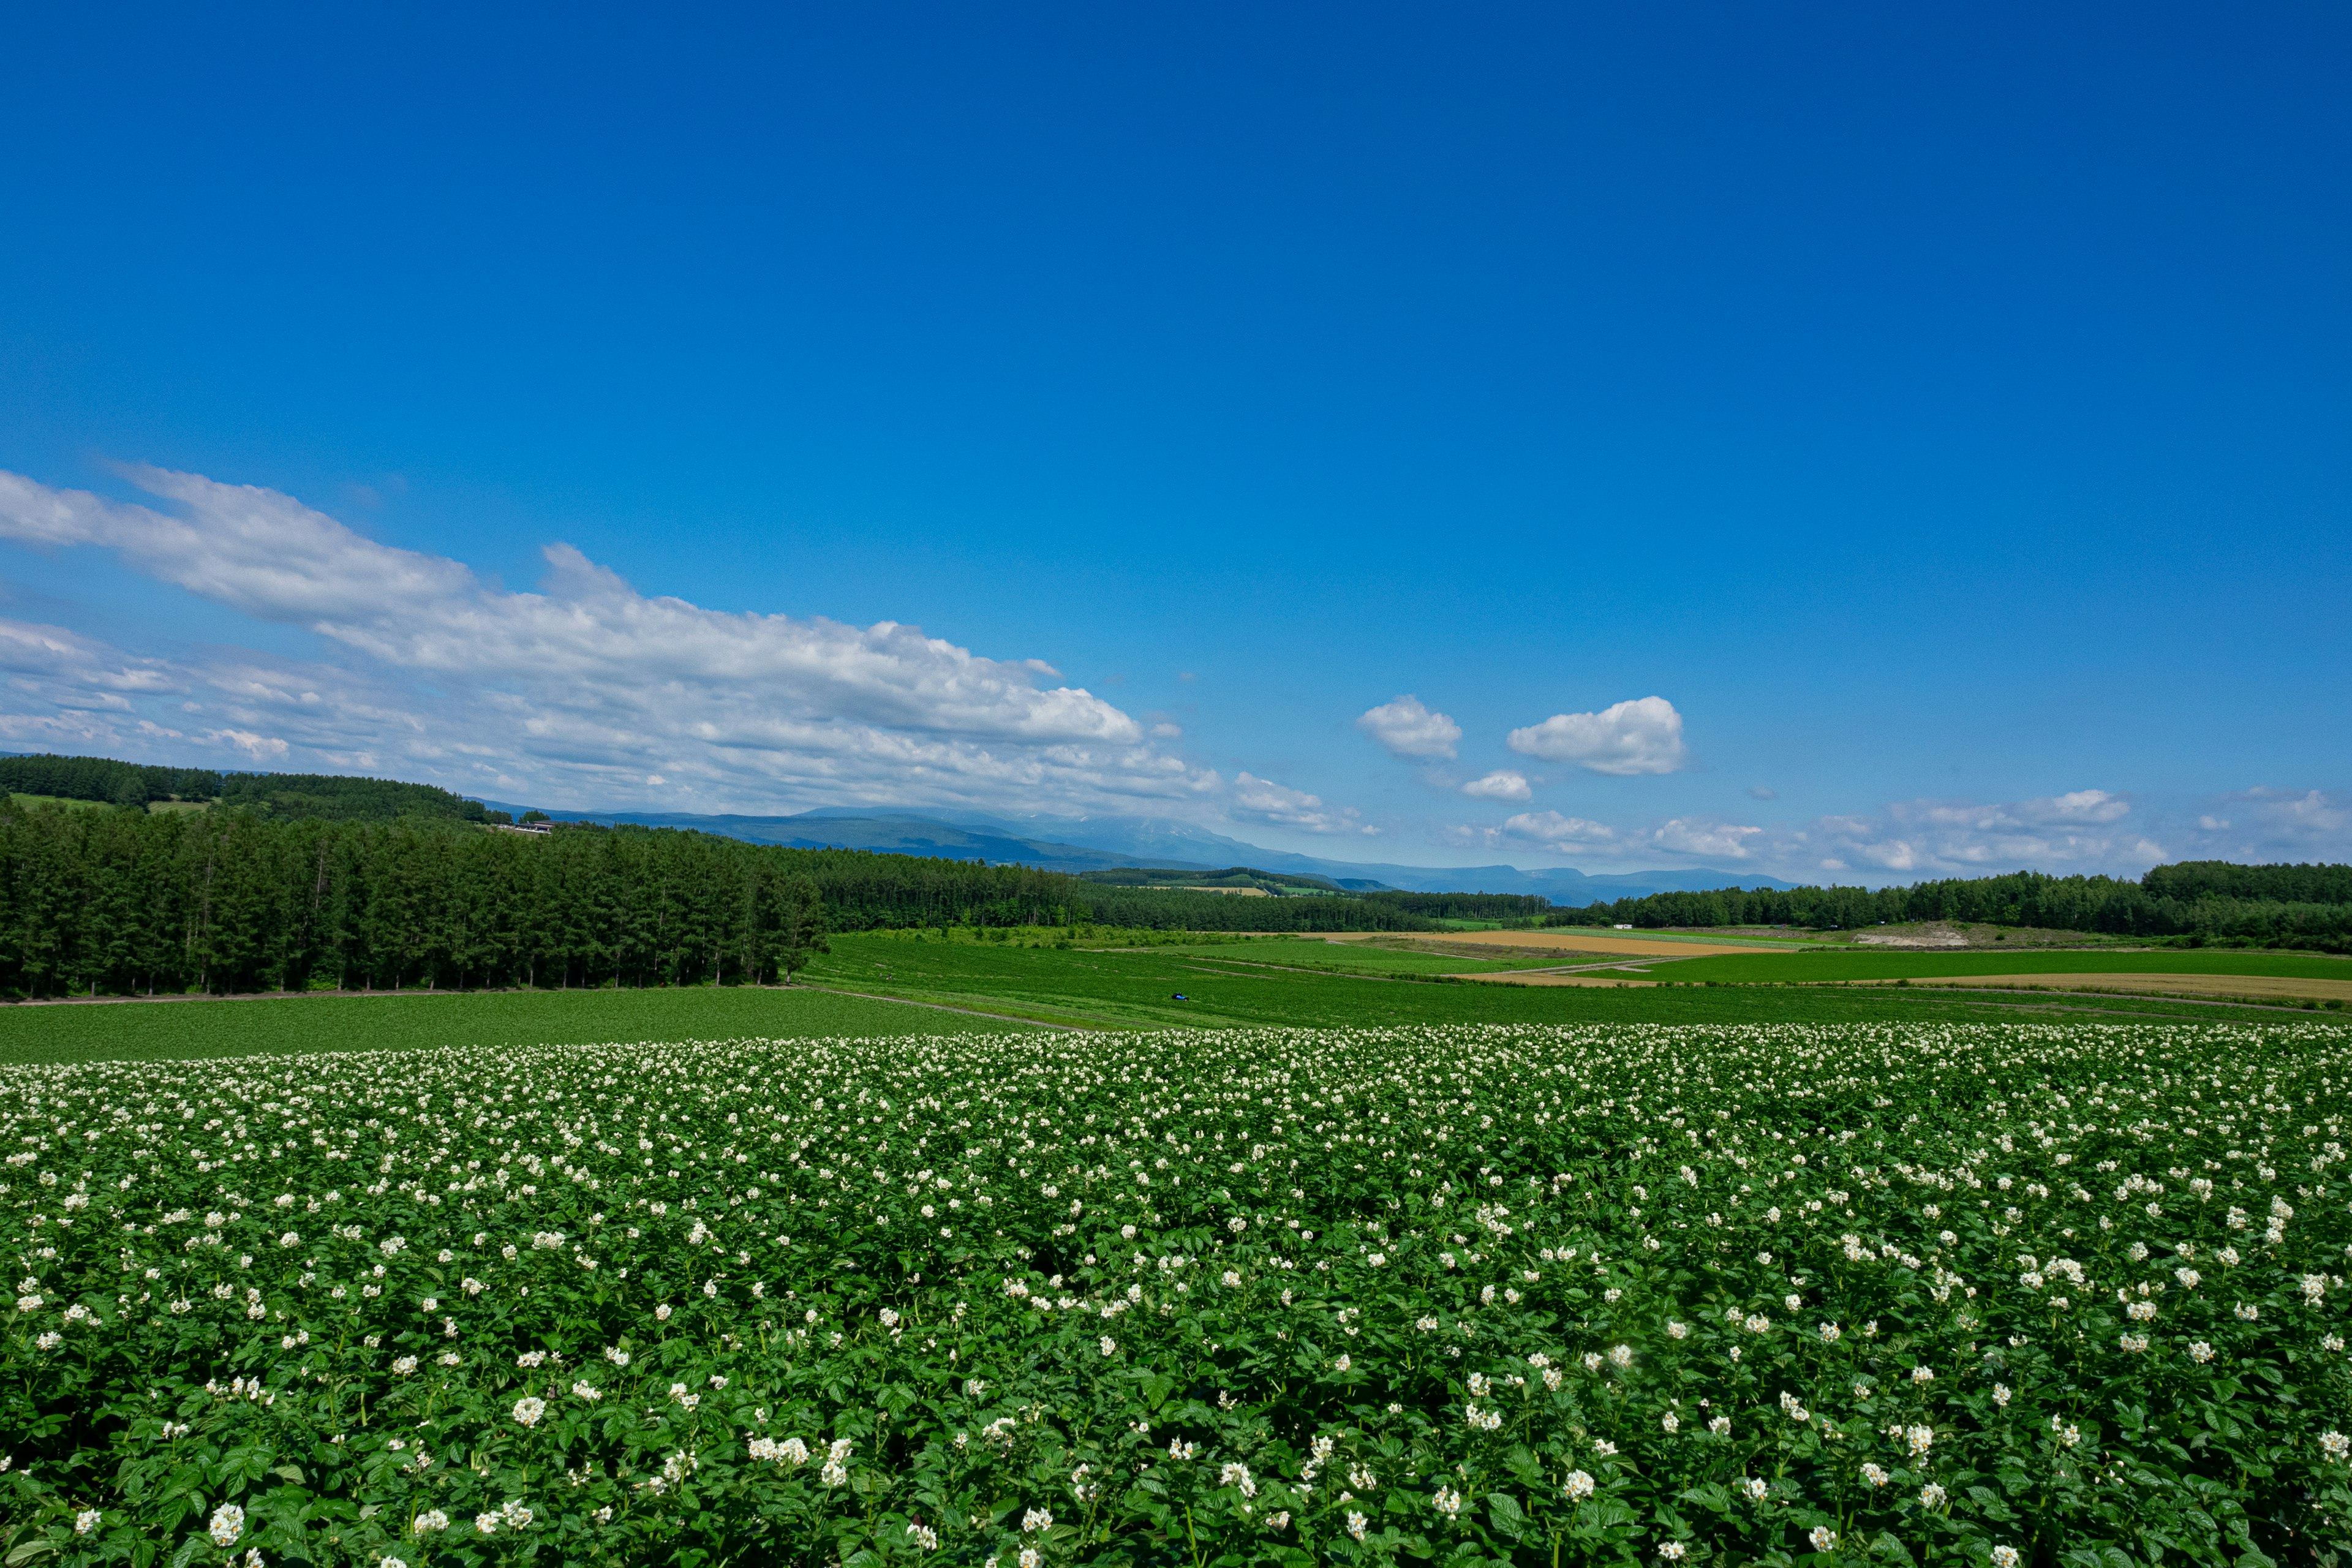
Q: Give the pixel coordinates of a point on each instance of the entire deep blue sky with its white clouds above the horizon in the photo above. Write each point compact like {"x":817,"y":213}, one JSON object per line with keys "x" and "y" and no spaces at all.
{"x":1939,"y":413}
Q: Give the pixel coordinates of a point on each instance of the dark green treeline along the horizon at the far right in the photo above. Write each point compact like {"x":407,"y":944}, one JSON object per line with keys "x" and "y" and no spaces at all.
{"x":2207,"y":902}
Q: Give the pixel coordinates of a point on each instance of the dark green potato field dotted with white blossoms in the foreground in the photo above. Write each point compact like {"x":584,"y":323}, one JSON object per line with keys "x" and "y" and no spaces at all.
{"x":1476,"y":1294}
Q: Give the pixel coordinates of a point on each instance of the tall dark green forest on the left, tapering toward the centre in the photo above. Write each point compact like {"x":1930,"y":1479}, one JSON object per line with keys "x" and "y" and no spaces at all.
{"x":116,"y":902}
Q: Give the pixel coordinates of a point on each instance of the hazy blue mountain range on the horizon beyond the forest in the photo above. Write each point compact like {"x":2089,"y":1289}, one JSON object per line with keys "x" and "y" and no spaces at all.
{"x":1104,"y":843}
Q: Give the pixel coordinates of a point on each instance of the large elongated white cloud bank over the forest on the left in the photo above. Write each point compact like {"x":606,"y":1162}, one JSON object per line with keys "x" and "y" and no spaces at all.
{"x":584,"y":688}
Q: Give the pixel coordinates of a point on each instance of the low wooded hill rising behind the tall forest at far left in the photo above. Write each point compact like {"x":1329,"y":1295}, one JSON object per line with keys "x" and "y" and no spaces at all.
{"x":286,"y":796}
